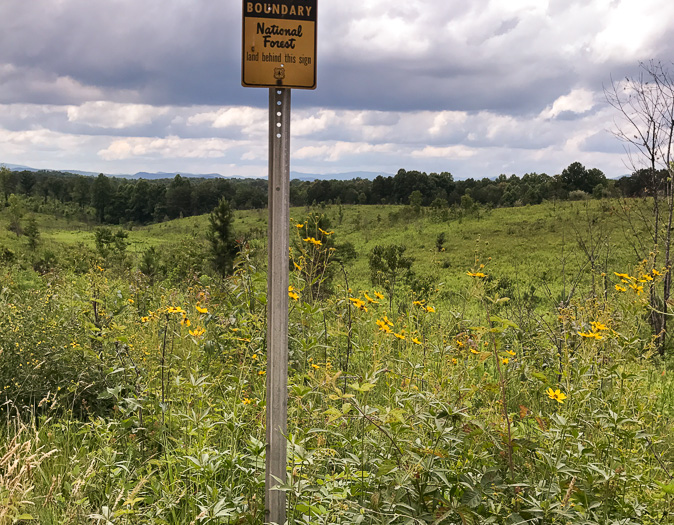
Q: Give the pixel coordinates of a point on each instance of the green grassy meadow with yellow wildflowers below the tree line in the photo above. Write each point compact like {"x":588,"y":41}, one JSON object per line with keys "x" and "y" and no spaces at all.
{"x":511,"y":378}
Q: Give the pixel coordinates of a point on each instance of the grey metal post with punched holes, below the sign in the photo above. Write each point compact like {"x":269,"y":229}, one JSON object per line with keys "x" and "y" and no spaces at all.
{"x":277,"y":303}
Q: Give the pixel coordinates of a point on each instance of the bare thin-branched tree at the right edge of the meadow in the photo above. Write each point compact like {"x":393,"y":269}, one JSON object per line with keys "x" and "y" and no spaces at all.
{"x":645,"y":124}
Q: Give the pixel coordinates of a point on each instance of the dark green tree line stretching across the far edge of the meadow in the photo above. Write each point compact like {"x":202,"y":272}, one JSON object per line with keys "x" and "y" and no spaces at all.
{"x":115,"y":200}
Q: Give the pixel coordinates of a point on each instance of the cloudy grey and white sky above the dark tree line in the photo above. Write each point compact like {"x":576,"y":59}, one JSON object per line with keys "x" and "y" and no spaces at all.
{"x":476,"y":88}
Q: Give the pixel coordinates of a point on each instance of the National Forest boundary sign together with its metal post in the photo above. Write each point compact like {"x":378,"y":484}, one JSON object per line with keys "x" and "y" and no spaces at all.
{"x":278,"y":52}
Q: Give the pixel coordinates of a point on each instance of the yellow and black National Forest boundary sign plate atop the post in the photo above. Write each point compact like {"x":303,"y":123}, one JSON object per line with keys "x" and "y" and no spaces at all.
{"x":279,"y":44}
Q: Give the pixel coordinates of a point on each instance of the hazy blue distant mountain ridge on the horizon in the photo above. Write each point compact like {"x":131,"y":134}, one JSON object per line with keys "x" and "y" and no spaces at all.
{"x":295,"y":175}
